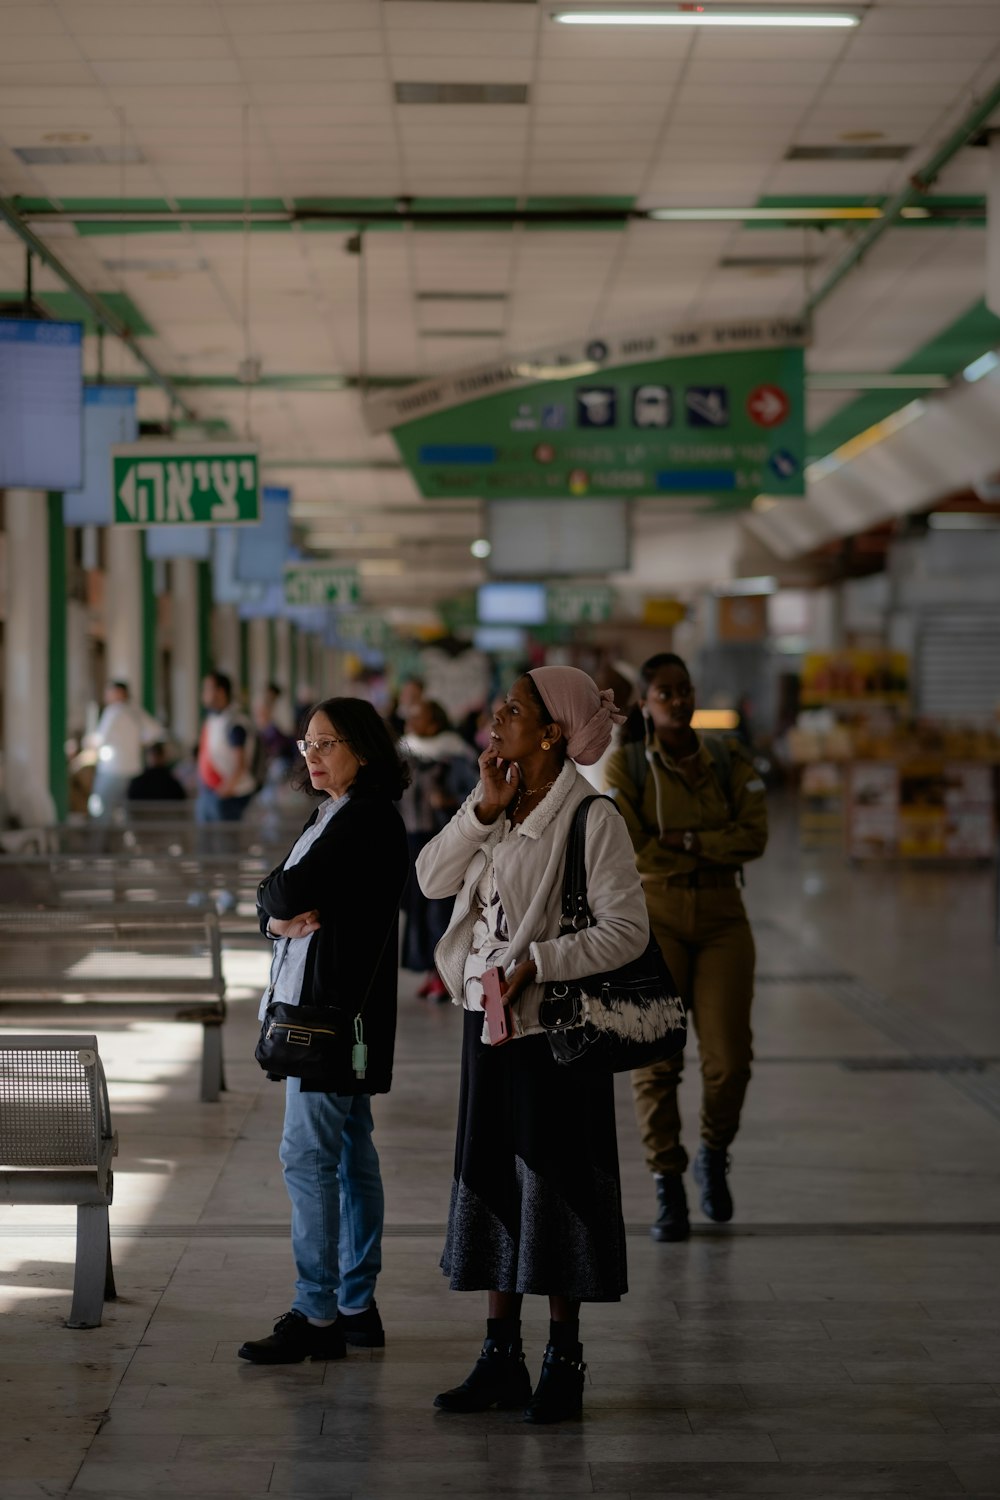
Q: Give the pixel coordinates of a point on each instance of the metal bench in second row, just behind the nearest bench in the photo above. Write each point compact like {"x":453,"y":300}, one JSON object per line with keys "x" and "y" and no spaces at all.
{"x":137,"y":959}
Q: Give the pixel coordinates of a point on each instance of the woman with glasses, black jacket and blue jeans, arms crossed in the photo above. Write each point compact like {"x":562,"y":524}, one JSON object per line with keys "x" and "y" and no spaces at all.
{"x":332,"y":910}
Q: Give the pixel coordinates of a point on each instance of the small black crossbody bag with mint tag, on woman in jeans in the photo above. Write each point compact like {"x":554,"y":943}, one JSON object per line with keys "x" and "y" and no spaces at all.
{"x":314,"y":1042}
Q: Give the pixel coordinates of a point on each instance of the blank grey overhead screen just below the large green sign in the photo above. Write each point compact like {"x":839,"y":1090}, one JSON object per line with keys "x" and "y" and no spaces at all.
{"x":557,"y":538}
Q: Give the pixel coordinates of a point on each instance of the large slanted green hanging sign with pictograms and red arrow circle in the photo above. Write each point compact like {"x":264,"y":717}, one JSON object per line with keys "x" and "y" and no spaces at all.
{"x":713,"y":412}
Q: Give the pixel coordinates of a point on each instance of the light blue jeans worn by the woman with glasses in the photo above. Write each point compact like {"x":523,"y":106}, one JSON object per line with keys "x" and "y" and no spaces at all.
{"x":335,"y":1186}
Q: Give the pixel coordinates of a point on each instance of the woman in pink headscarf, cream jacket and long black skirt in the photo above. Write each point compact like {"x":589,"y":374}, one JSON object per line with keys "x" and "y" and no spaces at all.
{"x":536,"y":1201}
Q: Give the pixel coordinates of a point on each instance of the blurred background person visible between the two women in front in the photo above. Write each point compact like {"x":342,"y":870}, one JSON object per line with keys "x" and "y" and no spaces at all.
{"x":445,"y":772}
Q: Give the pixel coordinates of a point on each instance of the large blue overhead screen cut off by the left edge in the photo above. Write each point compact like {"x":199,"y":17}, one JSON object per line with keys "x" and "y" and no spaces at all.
{"x":41,"y":404}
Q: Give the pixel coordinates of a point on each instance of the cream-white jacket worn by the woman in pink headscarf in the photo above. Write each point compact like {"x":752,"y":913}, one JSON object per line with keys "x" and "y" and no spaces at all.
{"x":530,"y":869}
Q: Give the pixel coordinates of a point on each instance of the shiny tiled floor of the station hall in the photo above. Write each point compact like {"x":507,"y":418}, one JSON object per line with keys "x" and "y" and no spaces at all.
{"x":842,"y":1339}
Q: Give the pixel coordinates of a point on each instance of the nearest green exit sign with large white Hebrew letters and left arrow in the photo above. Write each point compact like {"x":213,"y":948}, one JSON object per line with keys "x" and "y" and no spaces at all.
{"x":206,"y":485}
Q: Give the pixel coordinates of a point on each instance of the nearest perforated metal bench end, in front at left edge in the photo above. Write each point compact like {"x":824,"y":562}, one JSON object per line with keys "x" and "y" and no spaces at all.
{"x":56,"y":1147}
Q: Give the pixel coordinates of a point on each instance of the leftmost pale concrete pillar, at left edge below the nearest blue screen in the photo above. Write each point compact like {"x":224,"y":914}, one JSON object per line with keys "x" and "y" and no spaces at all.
{"x":29,"y":671}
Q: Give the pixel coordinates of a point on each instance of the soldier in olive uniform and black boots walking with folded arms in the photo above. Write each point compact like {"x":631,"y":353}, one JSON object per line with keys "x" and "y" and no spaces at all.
{"x":696,"y":814}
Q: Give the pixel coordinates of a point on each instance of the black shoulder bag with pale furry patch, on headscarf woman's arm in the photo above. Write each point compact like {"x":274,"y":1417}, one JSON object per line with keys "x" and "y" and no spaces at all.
{"x":609,"y":1022}
